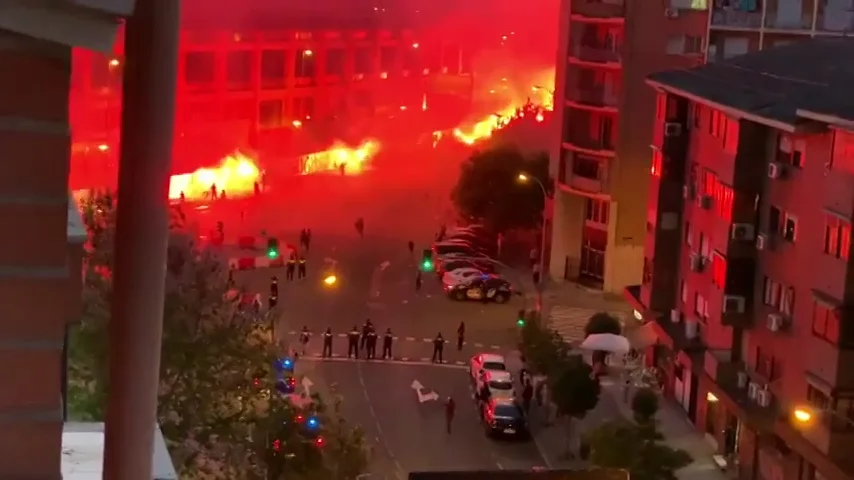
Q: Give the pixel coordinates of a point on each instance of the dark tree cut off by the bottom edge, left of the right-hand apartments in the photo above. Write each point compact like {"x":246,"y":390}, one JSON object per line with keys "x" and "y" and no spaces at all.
{"x":636,"y":448}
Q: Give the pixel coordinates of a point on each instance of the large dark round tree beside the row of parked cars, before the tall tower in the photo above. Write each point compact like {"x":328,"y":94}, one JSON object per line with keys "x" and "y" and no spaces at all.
{"x":488,"y":188}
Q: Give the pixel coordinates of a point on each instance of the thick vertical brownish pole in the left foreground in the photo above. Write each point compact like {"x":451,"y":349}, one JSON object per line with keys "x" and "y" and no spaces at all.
{"x":136,"y":325}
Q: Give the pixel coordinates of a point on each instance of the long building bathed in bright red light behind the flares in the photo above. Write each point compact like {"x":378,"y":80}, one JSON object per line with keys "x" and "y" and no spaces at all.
{"x":280,"y":87}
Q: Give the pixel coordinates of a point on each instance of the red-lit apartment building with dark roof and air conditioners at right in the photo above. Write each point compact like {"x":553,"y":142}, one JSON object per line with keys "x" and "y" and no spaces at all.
{"x":747,"y":256}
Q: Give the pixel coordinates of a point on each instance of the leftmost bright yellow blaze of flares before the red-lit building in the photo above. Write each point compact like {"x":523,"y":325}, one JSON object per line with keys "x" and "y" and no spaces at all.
{"x":237,"y":176}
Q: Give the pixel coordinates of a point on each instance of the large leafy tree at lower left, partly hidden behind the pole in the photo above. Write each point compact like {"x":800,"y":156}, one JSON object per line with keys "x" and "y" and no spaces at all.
{"x":216,"y":365}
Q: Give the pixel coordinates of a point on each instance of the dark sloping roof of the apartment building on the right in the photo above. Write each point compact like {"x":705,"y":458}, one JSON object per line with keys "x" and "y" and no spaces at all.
{"x":787,"y":85}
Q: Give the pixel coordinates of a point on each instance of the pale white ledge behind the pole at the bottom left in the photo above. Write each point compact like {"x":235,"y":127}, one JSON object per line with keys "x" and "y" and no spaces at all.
{"x":83,"y":453}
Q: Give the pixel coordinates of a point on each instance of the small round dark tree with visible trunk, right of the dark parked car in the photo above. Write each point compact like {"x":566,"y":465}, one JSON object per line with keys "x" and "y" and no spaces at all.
{"x":574,"y":390}
